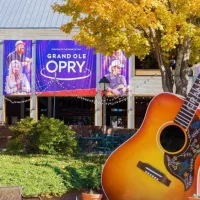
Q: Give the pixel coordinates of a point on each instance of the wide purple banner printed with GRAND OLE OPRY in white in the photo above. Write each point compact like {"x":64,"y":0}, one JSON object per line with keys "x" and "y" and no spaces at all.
{"x":64,"y":66}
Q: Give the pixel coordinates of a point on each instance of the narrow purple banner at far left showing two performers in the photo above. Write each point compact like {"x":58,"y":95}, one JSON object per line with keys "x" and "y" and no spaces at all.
{"x":17,"y":67}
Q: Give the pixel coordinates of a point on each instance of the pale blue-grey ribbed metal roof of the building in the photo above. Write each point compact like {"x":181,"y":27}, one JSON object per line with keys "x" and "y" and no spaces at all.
{"x":30,"y":14}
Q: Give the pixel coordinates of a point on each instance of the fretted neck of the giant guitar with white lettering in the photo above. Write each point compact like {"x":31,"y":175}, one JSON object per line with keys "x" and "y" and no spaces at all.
{"x":190,"y":105}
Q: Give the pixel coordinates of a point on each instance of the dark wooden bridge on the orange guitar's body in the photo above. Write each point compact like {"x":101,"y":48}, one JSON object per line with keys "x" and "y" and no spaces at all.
{"x":154,"y":173}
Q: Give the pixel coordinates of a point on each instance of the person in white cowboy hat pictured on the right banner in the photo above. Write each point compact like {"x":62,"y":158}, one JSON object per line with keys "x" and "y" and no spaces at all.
{"x":118,"y":84}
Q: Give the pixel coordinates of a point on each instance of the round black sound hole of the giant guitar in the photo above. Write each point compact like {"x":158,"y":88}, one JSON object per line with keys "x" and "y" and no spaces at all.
{"x":172,"y":138}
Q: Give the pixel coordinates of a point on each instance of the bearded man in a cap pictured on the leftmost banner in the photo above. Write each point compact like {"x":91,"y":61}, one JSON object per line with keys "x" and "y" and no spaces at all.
{"x":18,"y":54}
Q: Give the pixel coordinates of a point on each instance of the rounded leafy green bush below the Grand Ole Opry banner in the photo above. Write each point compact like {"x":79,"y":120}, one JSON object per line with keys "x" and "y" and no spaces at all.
{"x":47,"y":136}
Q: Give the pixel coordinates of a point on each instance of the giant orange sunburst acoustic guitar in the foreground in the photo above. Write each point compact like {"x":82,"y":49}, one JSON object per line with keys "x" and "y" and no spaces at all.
{"x":161,"y":161}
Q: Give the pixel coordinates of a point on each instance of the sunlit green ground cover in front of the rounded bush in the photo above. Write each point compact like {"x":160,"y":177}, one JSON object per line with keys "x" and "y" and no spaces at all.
{"x":51,"y":175}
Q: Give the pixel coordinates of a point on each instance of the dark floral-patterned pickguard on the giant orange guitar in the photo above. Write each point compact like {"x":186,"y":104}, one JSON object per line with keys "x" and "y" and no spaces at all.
{"x":181,"y":165}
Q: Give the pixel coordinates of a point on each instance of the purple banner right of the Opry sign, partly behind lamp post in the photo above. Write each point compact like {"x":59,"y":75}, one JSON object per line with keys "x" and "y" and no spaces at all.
{"x":116,"y":69}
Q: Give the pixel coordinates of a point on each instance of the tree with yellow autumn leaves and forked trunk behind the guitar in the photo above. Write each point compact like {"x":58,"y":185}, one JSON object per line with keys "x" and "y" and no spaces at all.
{"x":169,"y":29}
